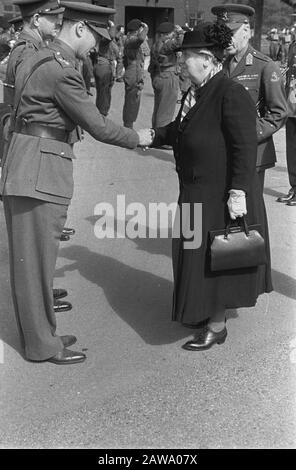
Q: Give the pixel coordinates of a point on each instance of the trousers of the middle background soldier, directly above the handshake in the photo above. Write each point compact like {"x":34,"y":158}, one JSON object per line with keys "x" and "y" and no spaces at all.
{"x":134,"y":82}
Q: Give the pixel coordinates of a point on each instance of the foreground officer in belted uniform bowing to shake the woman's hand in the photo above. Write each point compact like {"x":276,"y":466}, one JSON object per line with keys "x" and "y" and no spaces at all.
{"x":37,"y":176}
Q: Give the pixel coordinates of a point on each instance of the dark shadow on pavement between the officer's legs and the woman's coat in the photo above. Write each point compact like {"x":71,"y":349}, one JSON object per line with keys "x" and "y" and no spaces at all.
{"x":141,"y":299}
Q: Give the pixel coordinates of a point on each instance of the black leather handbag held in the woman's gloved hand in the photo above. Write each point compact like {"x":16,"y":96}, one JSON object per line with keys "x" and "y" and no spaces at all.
{"x":237,"y":247}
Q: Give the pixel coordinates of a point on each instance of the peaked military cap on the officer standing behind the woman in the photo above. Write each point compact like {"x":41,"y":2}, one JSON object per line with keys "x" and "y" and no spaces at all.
{"x":234,"y":15}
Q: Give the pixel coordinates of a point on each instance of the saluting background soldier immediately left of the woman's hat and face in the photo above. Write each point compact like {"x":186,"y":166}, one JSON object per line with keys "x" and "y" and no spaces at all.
{"x":164,"y":72}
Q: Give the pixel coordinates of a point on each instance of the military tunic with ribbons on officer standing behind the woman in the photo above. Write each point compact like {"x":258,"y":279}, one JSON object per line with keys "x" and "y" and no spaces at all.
{"x":261,"y":77}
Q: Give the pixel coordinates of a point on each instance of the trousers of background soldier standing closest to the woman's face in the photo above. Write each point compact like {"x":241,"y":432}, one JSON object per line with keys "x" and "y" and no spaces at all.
{"x":166,"y":88}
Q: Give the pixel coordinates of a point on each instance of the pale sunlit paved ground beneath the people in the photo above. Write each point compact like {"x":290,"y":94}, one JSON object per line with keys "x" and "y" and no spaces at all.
{"x":138,"y":388}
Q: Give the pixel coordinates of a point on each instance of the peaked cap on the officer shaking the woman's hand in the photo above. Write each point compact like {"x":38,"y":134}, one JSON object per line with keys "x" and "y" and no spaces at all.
{"x":94,"y":16}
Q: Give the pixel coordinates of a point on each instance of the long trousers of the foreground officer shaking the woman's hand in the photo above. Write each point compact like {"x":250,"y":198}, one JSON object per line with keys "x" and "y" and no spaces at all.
{"x":34,"y":228}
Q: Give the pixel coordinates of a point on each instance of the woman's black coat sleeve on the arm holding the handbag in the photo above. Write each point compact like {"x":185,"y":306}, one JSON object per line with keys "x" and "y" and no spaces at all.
{"x":239,"y":127}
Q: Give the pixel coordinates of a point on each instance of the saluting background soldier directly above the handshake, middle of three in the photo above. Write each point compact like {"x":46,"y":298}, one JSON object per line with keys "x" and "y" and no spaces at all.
{"x":133,"y":61}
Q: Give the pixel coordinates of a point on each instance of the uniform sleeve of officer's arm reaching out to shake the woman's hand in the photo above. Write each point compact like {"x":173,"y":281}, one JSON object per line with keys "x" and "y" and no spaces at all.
{"x":71,"y":96}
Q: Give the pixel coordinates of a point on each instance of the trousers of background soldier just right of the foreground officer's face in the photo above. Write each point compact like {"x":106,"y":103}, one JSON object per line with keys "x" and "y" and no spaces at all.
{"x":104,"y":83}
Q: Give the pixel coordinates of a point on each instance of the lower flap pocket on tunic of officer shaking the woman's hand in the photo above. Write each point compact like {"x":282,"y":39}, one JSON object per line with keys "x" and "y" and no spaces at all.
{"x":55,"y":174}
